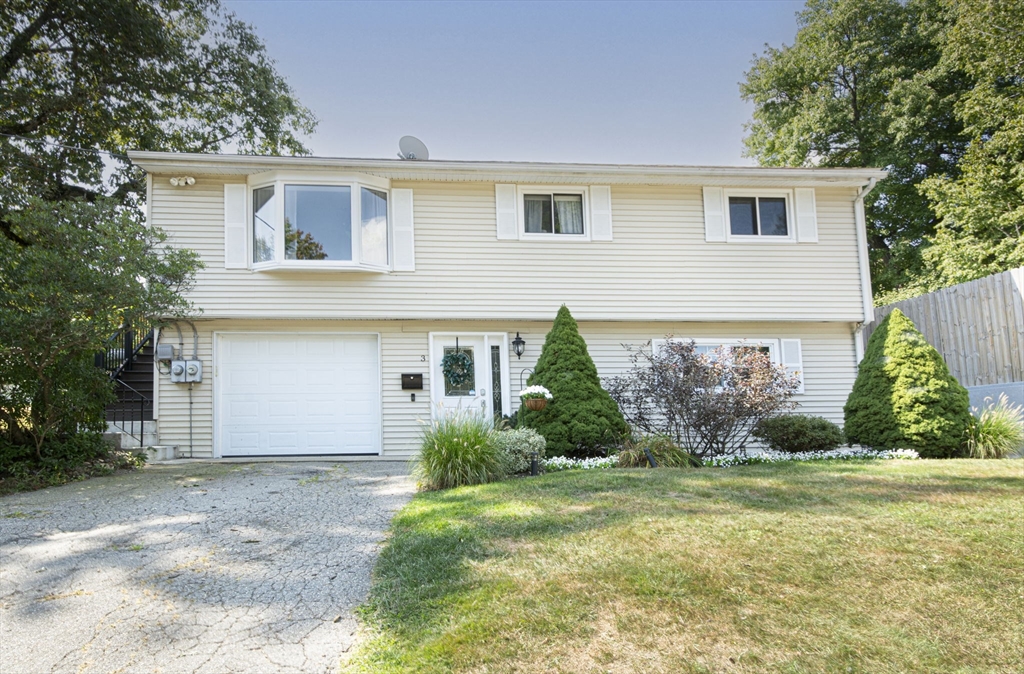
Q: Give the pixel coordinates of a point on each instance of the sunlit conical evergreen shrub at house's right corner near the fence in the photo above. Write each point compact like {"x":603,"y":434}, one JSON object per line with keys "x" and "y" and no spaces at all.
{"x":905,"y":396}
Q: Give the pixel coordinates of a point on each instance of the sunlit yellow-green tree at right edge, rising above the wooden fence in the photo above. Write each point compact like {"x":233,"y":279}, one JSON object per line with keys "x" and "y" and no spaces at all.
{"x":983,"y":209}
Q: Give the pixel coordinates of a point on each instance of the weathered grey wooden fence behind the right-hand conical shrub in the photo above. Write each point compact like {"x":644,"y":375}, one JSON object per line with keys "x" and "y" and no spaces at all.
{"x":977,"y":326}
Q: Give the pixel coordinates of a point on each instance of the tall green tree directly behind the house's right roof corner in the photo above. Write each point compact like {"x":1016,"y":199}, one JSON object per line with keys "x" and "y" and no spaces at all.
{"x":865,"y":85}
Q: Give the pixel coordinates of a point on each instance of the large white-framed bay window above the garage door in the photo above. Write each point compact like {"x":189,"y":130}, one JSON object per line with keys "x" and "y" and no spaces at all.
{"x":320,"y":226}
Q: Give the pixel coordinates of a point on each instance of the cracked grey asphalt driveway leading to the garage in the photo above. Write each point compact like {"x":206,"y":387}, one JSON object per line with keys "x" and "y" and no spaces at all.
{"x":196,"y":568}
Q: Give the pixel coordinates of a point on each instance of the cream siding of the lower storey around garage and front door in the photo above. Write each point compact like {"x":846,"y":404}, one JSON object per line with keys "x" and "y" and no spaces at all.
{"x":829,"y":360}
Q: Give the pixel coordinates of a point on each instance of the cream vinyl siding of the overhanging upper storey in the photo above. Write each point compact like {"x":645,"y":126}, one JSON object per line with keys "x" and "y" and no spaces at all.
{"x":659,"y":268}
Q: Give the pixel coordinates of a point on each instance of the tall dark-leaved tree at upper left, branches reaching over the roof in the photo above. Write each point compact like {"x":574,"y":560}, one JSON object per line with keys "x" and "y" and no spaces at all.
{"x":114,"y":75}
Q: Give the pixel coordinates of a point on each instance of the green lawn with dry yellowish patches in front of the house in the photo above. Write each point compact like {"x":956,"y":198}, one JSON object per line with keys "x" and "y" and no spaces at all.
{"x":862,"y":567}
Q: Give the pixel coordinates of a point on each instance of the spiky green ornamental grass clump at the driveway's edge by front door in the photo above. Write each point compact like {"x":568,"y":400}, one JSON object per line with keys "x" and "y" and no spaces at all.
{"x":458,"y":449}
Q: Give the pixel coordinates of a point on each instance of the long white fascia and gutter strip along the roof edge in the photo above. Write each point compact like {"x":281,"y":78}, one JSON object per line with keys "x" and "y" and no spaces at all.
{"x":509,"y":172}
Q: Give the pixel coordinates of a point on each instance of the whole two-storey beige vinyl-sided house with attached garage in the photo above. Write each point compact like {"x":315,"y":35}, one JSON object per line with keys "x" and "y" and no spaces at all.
{"x":657,"y":257}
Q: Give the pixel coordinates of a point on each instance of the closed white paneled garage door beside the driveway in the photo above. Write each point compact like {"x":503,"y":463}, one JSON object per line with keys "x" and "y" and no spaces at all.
{"x":298,"y":395}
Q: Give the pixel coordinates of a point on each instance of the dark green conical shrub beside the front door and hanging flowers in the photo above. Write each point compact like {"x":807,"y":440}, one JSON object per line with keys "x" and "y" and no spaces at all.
{"x":582,"y":419}
